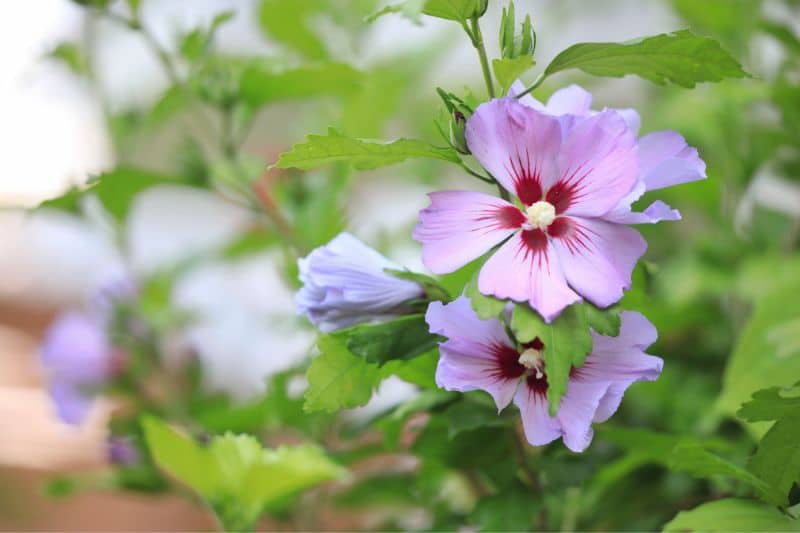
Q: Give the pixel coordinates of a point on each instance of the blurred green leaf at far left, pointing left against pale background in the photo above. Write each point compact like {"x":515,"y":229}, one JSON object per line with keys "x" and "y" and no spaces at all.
{"x":115,"y":189}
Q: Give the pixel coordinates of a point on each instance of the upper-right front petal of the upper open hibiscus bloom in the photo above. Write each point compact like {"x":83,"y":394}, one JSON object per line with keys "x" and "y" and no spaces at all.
{"x":597,"y":166}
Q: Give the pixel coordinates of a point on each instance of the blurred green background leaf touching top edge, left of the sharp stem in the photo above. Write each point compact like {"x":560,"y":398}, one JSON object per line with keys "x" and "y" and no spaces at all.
{"x":288,"y":24}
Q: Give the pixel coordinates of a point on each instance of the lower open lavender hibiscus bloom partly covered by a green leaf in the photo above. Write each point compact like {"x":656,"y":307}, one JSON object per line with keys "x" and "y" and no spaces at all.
{"x":479,"y":355}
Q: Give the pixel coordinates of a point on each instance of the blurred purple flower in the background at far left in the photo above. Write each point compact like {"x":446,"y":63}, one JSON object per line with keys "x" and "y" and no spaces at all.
{"x":77,"y":359}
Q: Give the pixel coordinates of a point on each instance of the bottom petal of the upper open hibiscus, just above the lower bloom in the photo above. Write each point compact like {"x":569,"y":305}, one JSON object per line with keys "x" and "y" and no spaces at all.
{"x":526,"y":268}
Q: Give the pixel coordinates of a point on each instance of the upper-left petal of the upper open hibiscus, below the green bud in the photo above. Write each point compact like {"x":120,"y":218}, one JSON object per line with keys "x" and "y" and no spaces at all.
{"x":516,"y":144}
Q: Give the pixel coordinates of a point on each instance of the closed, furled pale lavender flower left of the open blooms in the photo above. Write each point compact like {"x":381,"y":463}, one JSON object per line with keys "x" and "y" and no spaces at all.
{"x":344,"y":283}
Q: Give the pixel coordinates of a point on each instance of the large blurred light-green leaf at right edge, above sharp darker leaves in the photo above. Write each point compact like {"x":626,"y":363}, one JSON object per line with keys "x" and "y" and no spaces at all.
{"x":767,"y":353}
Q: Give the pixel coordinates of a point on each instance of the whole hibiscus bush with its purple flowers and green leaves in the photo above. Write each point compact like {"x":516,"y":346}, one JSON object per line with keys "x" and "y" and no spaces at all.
{"x":545,"y":278}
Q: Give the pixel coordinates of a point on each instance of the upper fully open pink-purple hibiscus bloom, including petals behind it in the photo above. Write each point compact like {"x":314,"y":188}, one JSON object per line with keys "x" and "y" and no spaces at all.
{"x":575,"y":176}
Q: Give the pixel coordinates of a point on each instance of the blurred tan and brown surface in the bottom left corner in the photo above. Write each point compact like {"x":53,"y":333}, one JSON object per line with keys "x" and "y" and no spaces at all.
{"x":35,"y":446}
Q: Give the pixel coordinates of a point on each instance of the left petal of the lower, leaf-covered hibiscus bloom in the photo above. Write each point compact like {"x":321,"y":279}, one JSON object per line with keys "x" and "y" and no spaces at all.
{"x":477,"y":355}
